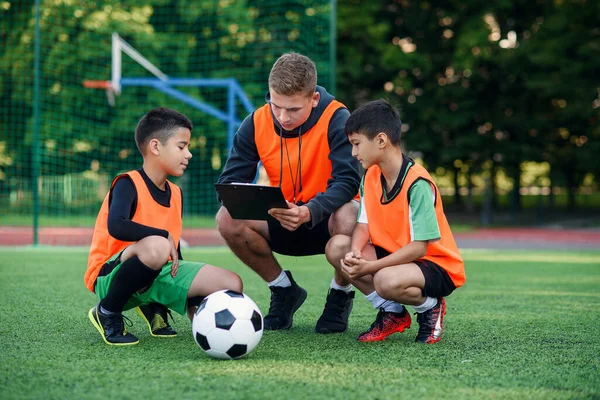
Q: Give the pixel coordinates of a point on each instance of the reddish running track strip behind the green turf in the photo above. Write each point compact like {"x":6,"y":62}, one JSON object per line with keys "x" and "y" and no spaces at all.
{"x":19,"y":236}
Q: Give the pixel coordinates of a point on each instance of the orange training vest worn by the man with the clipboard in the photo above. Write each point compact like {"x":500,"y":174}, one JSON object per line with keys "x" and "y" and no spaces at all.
{"x":316,"y":166}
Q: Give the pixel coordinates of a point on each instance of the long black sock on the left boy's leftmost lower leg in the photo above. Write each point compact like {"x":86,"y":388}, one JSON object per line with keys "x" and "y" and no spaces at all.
{"x":132,"y":276}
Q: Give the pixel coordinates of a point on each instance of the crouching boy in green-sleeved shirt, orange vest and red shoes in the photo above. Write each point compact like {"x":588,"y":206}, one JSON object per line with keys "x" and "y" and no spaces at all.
{"x":402,"y":251}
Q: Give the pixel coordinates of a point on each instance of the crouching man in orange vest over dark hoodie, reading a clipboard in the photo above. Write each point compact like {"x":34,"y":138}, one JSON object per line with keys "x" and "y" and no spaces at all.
{"x":299,"y":138}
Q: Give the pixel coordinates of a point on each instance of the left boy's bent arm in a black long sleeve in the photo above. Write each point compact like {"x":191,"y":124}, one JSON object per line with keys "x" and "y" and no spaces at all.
{"x":122,"y":202}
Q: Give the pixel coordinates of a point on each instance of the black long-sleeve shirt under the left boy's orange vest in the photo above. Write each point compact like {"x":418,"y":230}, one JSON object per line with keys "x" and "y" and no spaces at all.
{"x":122,"y":206}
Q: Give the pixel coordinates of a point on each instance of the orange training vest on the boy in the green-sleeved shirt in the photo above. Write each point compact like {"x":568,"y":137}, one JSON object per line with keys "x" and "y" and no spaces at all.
{"x":389,"y":226}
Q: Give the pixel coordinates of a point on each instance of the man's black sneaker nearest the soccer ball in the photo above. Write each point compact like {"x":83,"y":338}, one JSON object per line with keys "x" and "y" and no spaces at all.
{"x":284,"y":303}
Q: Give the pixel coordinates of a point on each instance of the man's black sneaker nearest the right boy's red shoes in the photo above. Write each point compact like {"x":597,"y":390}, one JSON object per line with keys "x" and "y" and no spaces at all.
{"x":336,"y":312}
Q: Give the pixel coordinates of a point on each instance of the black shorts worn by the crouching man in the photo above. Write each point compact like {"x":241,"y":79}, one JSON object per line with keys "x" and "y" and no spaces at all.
{"x":301,"y":242}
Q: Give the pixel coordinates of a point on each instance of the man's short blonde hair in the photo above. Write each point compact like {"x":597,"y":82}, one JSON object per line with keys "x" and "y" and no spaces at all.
{"x":293,"y":73}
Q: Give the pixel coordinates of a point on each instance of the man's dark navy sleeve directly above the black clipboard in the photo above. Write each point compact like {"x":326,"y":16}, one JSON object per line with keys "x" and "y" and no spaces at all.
{"x":243,"y":158}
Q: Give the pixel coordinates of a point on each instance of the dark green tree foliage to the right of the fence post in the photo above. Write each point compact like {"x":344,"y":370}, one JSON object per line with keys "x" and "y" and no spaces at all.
{"x":482,"y":85}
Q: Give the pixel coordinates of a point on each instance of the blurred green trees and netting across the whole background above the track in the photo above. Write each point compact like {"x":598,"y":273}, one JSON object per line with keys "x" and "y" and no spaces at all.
{"x":500,"y":100}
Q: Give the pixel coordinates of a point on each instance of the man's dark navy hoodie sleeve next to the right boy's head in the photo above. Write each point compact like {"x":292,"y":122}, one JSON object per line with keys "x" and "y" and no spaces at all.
{"x":345,"y":179}
